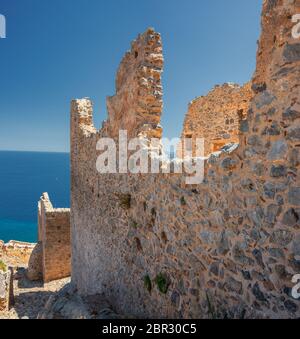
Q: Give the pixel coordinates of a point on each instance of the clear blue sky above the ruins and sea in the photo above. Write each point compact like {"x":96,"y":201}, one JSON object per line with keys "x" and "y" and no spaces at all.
{"x":57,"y":50}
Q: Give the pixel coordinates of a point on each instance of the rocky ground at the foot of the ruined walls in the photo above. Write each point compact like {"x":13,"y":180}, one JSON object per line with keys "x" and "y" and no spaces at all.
{"x":54,"y":300}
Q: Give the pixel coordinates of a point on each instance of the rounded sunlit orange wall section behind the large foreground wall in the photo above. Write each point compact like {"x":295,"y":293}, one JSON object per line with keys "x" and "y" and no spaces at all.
{"x":216,"y":117}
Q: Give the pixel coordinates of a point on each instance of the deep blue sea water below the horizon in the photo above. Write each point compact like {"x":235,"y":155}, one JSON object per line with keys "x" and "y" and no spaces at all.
{"x":24,"y":176}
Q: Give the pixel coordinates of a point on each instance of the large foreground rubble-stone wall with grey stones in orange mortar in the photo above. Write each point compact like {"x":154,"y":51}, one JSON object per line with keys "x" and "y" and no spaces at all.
{"x":228,"y":247}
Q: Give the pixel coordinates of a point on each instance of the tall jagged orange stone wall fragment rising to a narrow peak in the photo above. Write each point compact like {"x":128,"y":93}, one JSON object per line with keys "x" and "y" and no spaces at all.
{"x":137,"y":104}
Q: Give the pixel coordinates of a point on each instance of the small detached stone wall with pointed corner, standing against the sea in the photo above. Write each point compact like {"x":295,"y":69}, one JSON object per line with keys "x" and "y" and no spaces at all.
{"x":51,"y":257}
